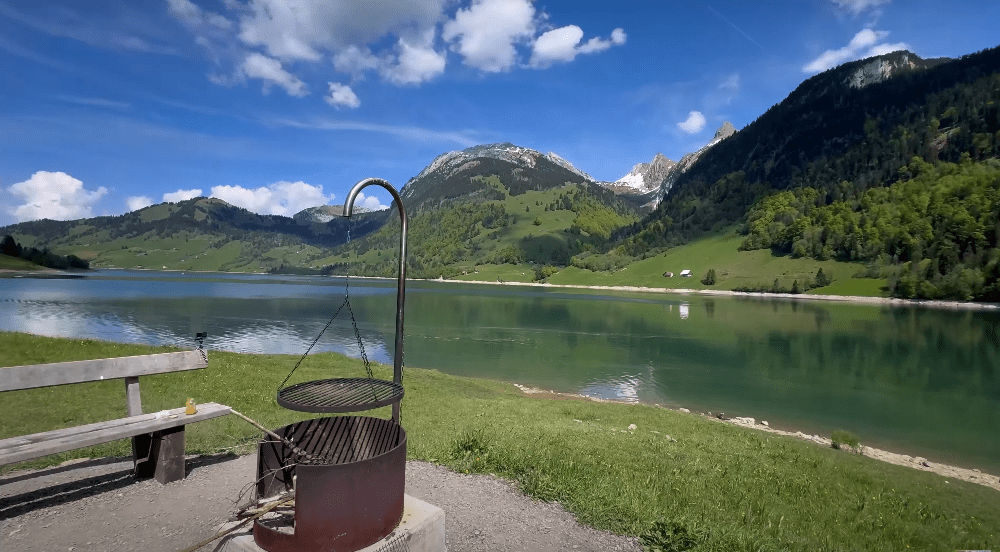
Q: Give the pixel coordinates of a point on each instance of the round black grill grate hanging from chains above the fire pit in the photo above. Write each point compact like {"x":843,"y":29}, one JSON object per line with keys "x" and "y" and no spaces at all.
{"x":340,"y":395}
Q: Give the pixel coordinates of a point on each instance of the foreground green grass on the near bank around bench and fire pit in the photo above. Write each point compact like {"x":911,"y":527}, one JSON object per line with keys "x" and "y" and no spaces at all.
{"x":744,"y":489}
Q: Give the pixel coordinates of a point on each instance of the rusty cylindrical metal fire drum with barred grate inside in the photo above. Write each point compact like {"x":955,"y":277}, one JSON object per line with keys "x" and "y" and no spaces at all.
{"x":351,"y":498}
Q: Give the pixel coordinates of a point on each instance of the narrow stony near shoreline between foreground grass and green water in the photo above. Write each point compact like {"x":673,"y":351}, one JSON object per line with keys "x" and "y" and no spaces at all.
{"x":915,"y":462}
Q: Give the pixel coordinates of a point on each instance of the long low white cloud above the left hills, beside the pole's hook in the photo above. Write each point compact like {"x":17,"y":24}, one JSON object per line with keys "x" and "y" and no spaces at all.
{"x":281,"y":198}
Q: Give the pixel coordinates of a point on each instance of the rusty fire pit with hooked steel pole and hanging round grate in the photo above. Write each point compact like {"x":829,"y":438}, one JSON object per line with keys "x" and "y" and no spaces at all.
{"x":348,"y":472}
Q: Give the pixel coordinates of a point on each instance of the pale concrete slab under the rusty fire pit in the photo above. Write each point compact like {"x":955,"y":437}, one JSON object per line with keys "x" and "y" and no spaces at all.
{"x":422,"y":529}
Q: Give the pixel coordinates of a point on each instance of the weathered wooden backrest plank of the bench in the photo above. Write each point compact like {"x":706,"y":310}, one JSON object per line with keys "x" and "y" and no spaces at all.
{"x":62,"y":373}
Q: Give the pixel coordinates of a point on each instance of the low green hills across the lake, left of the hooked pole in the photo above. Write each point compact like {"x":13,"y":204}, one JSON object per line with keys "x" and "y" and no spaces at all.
{"x":197,"y":234}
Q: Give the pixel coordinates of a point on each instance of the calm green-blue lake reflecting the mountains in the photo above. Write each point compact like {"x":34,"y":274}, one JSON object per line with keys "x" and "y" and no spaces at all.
{"x":910,"y":379}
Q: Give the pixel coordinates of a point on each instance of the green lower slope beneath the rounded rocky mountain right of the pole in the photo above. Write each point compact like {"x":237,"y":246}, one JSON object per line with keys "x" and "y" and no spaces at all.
{"x":500,"y":237}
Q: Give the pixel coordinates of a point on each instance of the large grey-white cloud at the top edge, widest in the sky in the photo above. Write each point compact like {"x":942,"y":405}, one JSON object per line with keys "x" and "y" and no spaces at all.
{"x":303,"y":29}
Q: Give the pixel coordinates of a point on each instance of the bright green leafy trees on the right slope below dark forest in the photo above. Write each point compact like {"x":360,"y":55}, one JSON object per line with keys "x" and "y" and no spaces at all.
{"x":933,"y":233}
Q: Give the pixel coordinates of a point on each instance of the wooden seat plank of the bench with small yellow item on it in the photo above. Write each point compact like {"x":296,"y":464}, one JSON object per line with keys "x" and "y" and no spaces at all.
{"x":18,"y":449}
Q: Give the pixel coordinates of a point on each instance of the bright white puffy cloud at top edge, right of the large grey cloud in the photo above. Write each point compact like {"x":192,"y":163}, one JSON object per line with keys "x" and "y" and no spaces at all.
{"x":485,"y":33}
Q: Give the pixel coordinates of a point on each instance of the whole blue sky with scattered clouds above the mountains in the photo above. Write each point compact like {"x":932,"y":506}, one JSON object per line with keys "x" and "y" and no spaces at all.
{"x":277,"y":105}
